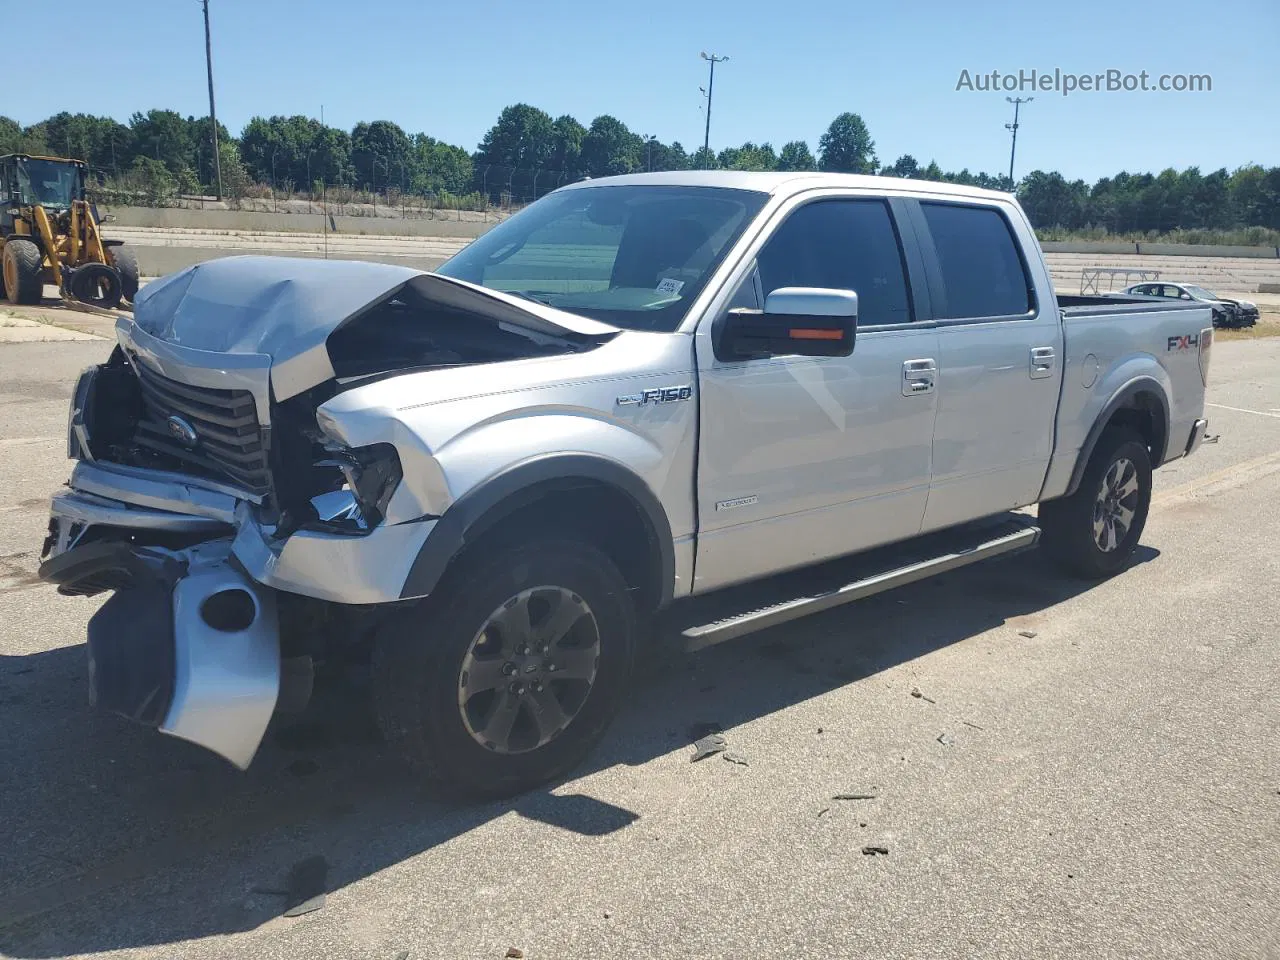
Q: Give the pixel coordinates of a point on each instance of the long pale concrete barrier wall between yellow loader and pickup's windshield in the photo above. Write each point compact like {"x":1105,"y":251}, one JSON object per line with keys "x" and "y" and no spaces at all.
{"x":254,"y":222}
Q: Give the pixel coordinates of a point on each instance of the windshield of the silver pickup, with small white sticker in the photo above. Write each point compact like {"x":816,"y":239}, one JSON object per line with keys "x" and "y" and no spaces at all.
{"x":629,"y":257}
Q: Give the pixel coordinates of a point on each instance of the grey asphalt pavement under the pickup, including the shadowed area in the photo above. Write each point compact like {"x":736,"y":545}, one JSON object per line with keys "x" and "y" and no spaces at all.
{"x":1090,"y":771}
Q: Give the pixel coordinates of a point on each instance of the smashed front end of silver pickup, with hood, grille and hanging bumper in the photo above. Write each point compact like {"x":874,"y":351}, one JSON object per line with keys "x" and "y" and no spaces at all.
{"x":218,"y":501}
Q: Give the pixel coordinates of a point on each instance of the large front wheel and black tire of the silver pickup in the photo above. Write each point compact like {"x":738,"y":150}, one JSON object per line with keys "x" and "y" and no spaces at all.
{"x":511,"y":671}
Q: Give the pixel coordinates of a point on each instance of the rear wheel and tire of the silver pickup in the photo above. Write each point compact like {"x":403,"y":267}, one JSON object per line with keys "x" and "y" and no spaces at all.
{"x":1095,"y":532}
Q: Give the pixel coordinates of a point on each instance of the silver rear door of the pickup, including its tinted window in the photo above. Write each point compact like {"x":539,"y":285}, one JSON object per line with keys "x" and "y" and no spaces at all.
{"x":1000,"y":359}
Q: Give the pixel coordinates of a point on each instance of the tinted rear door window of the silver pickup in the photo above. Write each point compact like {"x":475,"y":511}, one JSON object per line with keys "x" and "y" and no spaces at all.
{"x":982,"y":271}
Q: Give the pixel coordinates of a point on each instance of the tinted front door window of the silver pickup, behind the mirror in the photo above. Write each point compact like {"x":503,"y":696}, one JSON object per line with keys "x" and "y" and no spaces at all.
{"x":845,"y":245}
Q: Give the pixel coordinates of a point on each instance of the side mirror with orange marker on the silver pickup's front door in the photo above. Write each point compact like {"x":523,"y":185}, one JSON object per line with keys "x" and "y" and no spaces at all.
{"x":807,"y":322}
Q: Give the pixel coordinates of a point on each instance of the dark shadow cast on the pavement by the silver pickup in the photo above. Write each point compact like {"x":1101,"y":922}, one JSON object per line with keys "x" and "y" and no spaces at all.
{"x":118,"y":838}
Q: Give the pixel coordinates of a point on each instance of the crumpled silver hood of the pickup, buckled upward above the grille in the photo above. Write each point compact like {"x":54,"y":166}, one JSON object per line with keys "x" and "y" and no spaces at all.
{"x":286,"y":308}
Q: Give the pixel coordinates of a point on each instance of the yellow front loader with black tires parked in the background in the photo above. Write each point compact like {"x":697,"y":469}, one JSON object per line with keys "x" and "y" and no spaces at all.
{"x":51,"y":235}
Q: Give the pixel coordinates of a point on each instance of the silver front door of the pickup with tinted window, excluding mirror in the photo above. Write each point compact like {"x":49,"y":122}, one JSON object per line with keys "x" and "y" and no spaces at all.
{"x":806,"y":459}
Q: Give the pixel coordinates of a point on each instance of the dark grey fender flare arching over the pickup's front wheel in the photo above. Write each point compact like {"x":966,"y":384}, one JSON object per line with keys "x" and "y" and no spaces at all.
{"x":522,"y":484}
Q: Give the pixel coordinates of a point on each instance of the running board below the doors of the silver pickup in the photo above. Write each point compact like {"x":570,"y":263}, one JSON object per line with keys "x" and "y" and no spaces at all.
{"x":880,"y":572}
